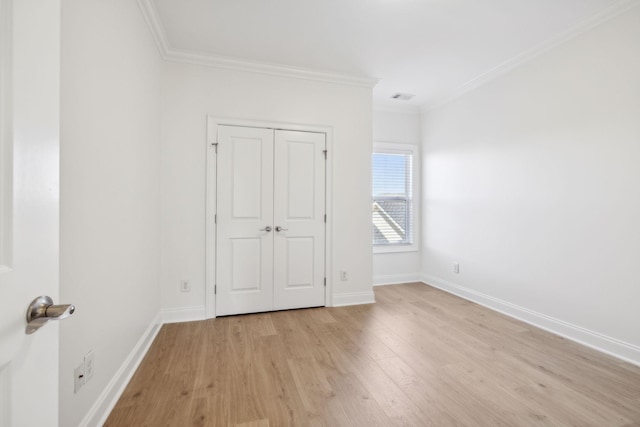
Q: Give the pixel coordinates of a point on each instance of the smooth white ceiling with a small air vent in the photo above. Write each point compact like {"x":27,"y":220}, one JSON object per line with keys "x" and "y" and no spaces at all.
{"x":431,"y":48}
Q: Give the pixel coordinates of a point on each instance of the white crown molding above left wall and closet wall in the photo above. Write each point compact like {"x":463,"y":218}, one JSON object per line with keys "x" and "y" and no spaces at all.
{"x":169,"y":53}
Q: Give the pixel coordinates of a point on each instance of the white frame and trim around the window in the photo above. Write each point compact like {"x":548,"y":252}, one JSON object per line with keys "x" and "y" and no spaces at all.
{"x":413,"y":150}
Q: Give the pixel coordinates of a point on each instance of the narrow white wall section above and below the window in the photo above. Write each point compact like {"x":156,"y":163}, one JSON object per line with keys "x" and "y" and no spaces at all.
{"x":397,"y":127}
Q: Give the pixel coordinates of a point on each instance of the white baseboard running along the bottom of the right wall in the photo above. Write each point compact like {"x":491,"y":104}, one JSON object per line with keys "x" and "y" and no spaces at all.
{"x":614,"y":347}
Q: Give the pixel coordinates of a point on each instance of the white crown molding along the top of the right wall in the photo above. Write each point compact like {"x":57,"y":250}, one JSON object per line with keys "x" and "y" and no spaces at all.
{"x":610,"y":12}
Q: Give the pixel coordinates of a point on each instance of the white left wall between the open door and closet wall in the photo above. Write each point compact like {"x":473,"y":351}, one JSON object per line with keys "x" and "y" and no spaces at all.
{"x":110,"y":192}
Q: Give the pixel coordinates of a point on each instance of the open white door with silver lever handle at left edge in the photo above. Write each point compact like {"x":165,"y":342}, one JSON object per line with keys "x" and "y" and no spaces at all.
{"x":29,"y":200}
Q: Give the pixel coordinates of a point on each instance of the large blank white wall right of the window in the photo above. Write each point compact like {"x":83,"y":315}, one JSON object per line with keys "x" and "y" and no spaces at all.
{"x":531,"y":184}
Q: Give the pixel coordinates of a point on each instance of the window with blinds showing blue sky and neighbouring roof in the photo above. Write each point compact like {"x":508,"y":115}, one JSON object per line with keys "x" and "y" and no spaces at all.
{"x":393,"y":205}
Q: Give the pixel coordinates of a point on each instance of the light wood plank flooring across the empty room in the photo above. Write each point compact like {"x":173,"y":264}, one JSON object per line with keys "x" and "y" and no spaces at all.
{"x":418,"y":357}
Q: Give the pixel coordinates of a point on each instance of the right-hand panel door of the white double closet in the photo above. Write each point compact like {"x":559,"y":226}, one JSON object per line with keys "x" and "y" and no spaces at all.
{"x":299,"y":208}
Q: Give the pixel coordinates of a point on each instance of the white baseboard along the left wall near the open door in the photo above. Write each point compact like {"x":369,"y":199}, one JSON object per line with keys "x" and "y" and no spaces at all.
{"x":103,"y":406}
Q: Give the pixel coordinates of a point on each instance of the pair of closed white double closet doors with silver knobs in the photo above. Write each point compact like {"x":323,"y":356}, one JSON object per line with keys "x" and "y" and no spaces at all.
{"x":270,"y":220}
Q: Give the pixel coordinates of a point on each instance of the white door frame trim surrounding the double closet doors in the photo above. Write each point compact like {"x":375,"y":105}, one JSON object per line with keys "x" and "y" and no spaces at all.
{"x":211,"y":208}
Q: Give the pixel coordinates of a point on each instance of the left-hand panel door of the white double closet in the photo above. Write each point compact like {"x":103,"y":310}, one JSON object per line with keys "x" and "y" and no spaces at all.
{"x":244,"y":268}
